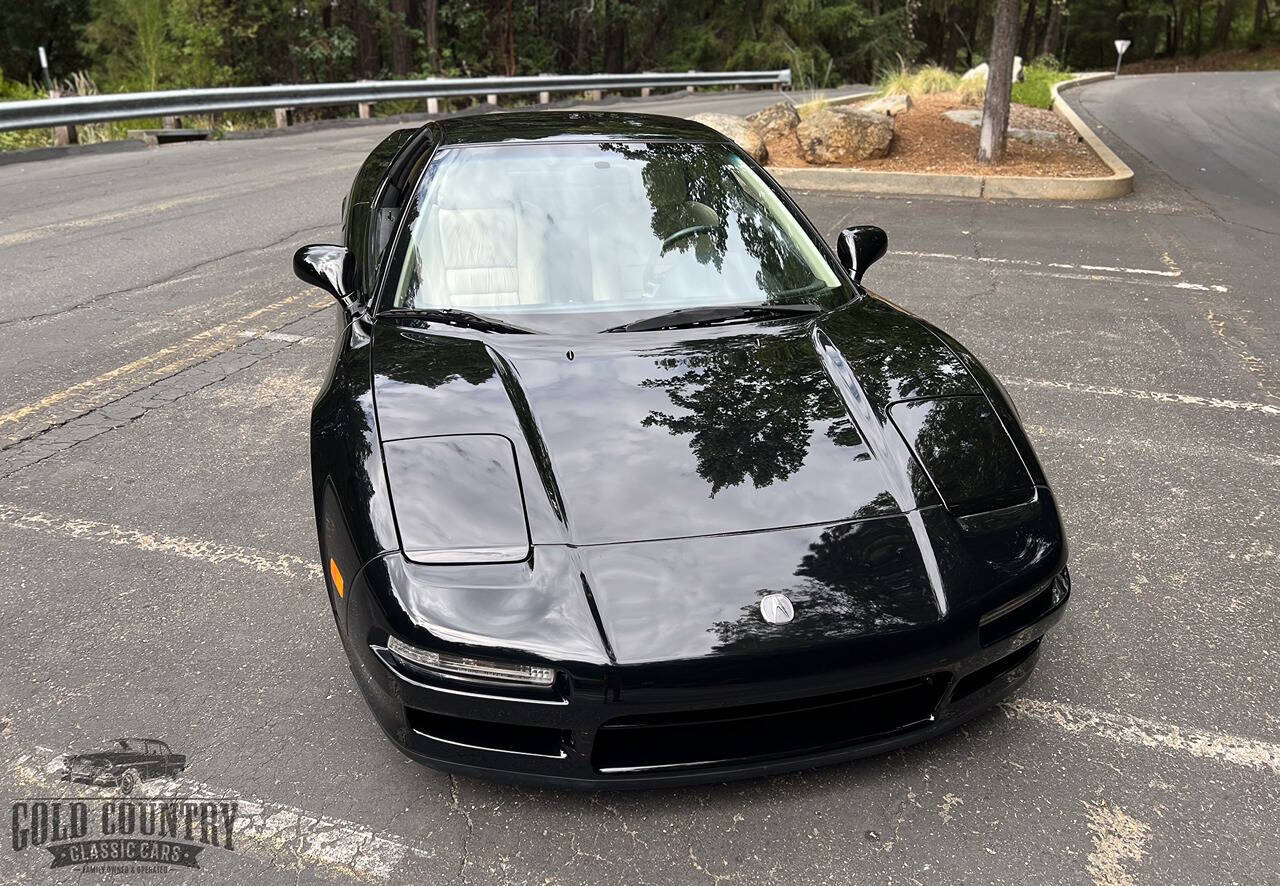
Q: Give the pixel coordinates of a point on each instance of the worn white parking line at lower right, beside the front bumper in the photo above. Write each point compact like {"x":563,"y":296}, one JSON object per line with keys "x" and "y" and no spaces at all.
{"x":1219,"y":747}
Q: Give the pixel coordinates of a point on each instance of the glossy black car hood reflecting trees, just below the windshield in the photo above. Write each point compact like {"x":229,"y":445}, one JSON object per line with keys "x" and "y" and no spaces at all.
{"x":636,"y":437}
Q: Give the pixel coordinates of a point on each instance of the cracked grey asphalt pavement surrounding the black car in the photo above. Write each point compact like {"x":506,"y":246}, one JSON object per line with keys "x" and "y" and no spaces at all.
{"x":159,"y":550}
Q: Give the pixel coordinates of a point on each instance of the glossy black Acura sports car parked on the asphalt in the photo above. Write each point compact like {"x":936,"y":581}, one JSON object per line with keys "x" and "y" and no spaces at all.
{"x":623,"y":478}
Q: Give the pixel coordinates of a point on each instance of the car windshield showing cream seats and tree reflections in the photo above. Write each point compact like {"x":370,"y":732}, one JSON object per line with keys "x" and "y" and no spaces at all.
{"x":595,"y":229}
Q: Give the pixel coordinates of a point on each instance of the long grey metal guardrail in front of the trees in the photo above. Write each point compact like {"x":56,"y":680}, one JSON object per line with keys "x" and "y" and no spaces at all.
{"x":171,"y":103}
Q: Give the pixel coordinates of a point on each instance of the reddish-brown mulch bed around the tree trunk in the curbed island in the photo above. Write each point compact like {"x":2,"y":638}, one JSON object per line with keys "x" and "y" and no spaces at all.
{"x":927,"y":143}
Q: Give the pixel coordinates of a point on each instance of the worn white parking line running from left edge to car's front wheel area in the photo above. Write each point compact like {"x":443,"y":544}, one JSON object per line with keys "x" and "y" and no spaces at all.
{"x":177,"y":546}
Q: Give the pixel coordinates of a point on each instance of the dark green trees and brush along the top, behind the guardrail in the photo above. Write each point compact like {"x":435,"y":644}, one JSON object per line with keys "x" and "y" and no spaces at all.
{"x":918,"y":44}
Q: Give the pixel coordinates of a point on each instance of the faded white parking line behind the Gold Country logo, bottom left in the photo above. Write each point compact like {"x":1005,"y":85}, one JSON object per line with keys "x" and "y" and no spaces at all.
{"x":268,"y":829}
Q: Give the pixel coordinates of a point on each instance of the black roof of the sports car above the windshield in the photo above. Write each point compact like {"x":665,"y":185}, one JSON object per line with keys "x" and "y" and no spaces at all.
{"x":570,"y":126}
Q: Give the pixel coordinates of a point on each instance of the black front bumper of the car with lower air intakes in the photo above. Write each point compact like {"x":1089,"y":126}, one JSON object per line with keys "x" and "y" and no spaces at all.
{"x":696,"y":721}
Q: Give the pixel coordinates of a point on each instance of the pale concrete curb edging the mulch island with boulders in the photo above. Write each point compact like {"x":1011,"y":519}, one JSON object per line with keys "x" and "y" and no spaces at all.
{"x":863,"y":181}
